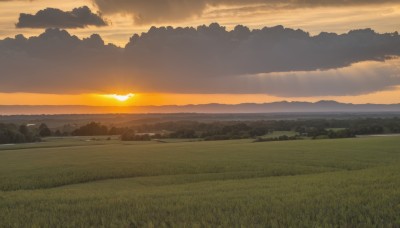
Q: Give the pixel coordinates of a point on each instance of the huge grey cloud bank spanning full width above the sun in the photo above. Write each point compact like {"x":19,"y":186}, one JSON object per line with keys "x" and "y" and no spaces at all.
{"x":207,"y":59}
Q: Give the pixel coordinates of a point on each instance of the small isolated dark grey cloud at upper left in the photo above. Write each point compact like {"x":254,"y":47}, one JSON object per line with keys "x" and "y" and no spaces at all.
{"x":55,"y":18}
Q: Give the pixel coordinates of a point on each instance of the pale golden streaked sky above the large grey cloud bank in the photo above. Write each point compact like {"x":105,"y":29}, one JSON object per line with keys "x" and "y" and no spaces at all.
{"x":380,"y":17}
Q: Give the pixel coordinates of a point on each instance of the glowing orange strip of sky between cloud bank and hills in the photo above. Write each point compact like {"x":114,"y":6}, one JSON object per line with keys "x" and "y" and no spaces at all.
{"x":384,"y":97}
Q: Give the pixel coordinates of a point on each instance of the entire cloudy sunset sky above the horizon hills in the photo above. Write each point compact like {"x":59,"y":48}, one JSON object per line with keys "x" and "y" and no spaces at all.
{"x":85,"y":52}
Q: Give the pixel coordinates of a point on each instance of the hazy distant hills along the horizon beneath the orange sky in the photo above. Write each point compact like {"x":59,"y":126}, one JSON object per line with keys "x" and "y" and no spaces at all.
{"x":275,"y":107}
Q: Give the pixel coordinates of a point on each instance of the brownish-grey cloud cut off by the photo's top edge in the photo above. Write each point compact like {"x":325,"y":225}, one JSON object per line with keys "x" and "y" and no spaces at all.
{"x":161,"y":11}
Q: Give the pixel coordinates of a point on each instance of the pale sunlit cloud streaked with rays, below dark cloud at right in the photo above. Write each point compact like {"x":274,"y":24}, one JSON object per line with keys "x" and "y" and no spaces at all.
{"x":360,"y":78}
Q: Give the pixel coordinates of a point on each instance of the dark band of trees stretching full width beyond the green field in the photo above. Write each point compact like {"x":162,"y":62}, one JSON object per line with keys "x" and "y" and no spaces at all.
{"x":219,"y":130}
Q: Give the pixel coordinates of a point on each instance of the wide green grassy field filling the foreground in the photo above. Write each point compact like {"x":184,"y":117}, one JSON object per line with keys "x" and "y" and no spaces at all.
{"x":80,"y":182}
